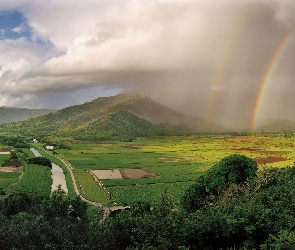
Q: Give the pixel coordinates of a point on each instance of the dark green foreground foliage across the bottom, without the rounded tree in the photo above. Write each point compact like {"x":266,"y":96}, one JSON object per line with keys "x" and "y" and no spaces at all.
{"x":253,"y":214}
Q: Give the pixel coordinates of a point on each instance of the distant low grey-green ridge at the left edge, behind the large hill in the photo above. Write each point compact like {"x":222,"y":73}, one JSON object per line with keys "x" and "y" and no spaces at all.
{"x":14,"y":114}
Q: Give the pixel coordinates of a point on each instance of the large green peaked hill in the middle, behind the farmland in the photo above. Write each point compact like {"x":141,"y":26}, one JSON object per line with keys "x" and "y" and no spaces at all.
{"x":121,"y":117}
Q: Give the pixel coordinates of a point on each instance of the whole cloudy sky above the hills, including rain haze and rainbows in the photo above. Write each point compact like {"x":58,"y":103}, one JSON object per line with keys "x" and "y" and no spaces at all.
{"x":229,"y":61}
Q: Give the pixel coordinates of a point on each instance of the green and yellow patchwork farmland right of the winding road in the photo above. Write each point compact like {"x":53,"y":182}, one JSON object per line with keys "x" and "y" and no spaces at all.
{"x":169,"y":164}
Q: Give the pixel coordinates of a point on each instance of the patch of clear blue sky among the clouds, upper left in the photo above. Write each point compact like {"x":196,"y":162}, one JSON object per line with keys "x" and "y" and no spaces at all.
{"x":13,"y":25}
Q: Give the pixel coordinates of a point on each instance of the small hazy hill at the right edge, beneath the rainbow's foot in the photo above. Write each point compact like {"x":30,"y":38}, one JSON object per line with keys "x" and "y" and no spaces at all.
{"x":276,"y":125}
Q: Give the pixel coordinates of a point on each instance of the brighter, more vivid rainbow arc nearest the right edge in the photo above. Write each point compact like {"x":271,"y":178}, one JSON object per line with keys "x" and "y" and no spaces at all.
{"x":275,"y":59}
